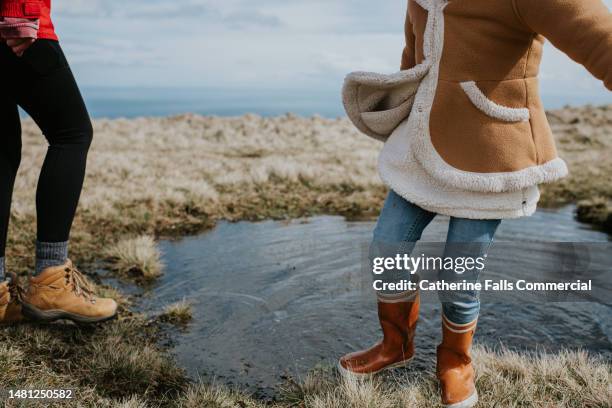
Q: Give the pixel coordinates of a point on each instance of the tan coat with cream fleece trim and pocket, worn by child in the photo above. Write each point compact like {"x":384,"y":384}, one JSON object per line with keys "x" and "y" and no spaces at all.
{"x":478,"y":123}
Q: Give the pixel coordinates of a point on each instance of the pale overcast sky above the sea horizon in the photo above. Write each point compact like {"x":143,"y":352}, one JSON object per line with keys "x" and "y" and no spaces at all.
{"x":246,"y":43}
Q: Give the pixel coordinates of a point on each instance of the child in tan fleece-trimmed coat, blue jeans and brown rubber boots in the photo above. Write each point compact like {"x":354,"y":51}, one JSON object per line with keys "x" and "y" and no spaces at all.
{"x":473,"y":143}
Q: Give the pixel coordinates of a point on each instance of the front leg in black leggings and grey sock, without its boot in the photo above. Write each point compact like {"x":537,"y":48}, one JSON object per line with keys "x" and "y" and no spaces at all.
{"x":50,"y":95}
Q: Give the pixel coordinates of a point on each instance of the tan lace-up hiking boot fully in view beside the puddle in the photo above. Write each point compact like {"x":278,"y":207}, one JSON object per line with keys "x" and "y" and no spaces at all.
{"x":62,"y":292}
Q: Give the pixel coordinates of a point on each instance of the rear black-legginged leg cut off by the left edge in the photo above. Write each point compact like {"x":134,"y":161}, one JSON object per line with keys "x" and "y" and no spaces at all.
{"x":10,"y":157}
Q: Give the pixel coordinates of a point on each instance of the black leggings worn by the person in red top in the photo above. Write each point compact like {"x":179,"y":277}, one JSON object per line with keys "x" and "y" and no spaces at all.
{"x":42,"y":84}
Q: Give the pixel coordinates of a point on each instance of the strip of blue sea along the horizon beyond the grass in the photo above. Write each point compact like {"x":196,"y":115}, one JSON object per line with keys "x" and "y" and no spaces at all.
{"x":108,"y":102}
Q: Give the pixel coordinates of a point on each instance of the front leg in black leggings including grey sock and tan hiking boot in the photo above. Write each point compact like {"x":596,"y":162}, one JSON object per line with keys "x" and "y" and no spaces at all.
{"x":46,"y":89}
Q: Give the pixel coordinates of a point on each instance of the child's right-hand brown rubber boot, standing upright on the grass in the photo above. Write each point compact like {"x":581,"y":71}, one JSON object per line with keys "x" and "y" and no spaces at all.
{"x":454,"y":369}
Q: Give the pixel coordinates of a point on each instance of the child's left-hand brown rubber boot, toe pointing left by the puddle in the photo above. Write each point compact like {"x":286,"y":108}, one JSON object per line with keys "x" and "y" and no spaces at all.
{"x":398,"y":323}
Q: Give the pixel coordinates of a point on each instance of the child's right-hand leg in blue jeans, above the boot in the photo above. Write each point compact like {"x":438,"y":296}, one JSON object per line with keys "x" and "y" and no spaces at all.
{"x":466,"y":239}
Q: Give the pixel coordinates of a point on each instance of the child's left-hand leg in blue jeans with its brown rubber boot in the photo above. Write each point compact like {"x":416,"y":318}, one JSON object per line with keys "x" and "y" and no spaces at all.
{"x":399,"y":226}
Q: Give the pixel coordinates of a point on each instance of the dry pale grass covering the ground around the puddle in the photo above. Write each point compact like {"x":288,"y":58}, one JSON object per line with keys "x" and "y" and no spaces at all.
{"x":153,"y":177}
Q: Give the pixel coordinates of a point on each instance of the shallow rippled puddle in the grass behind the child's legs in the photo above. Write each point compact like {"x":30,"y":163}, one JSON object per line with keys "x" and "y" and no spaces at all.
{"x":277,"y":298}
